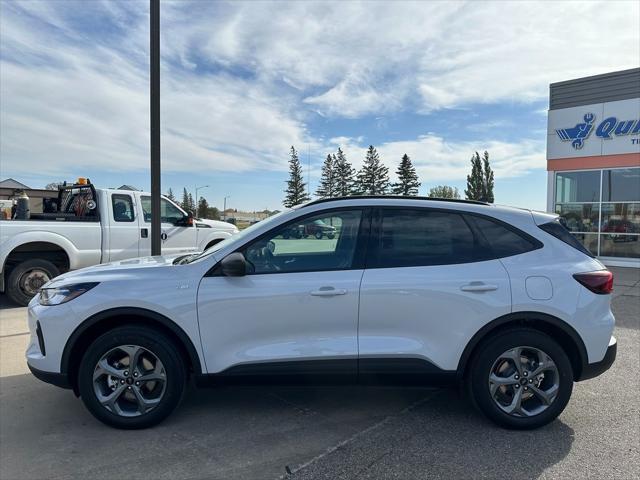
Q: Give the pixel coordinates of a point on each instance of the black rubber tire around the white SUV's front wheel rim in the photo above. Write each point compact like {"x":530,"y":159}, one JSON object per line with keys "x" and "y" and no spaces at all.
{"x":156,"y":343}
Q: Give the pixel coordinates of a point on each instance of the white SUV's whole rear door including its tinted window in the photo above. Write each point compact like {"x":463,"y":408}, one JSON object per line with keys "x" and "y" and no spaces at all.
{"x":427,"y":289}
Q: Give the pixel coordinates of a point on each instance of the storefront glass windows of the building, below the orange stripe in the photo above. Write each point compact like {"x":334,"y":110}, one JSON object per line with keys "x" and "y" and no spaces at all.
{"x":601,"y":208}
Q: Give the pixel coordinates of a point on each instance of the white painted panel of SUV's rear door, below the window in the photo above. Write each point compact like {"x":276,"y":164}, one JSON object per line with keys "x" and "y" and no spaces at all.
{"x":422,"y":312}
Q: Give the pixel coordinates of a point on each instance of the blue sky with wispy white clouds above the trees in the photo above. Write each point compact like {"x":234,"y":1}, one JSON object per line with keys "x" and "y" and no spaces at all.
{"x":242,"y":82}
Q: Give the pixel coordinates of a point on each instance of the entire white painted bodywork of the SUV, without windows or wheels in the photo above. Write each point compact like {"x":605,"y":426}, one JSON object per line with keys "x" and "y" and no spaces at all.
{"x":417,"y":312}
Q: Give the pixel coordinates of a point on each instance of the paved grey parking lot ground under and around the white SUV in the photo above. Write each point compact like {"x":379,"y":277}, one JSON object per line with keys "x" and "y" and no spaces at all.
{"x":327,"y":433}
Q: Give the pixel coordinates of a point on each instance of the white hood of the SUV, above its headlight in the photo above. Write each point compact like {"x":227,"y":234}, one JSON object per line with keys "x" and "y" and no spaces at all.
{"x":115,"y":270}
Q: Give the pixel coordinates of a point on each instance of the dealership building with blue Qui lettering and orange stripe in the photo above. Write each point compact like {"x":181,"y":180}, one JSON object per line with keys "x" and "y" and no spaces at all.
{"x":593,"y":162}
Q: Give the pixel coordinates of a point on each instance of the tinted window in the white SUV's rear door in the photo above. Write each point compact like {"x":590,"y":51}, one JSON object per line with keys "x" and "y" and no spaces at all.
{"x":419,"y":237}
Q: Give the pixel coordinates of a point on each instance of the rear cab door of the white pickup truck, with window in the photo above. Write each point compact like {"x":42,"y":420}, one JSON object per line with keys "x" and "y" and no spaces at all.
{"x":123,"y":227}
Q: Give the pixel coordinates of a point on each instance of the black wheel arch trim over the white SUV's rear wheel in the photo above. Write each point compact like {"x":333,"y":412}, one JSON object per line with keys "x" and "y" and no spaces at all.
{"x":559,"y":330}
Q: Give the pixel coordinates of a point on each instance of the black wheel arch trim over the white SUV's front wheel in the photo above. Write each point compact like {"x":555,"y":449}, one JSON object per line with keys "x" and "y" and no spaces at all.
{"x":104,"y":321}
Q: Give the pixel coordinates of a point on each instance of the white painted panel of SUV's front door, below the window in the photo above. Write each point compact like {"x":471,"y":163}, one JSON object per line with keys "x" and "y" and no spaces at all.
{"x":298,"y":325}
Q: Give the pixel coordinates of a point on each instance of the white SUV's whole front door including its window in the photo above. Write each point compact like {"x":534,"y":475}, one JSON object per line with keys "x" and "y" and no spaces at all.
{"x":296,"y":312}
